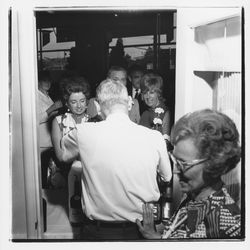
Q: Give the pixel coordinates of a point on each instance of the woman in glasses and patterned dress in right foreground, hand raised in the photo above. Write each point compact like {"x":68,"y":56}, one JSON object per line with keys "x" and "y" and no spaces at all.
{"x":206,"y":146}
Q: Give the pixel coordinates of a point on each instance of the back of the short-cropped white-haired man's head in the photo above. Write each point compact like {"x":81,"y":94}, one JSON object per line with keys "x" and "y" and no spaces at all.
{"x":112,"y":96}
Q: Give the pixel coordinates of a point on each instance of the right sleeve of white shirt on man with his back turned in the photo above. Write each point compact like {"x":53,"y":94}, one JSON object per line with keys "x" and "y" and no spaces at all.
{"x":164,"y":166}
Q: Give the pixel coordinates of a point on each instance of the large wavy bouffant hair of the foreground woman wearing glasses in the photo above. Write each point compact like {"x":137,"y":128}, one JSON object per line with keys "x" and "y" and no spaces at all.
{"x":216,"y":138}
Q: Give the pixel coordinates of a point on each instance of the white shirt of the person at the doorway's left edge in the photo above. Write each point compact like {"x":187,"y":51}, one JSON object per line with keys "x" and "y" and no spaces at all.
{"x":45,"y":136}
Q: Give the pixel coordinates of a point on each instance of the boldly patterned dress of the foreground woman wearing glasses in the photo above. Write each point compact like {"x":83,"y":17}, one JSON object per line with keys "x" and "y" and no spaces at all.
{"x":217,"y":217}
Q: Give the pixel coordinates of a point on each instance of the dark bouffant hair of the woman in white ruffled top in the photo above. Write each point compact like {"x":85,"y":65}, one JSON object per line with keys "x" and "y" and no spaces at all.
{"x":74,"y":84}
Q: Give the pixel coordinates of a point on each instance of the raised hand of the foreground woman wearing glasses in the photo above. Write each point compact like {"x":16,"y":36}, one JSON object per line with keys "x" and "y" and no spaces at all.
{"x":147,"y":228}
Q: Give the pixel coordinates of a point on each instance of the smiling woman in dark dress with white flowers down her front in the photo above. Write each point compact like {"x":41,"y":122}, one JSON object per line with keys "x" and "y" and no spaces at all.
{"x":157,"y":115}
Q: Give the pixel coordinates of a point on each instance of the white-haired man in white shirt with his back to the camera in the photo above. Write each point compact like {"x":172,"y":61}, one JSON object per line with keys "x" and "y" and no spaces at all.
{"x":120,"y":161}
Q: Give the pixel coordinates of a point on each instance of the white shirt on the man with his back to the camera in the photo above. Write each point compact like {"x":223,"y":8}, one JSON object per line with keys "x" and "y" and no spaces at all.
{"x":120,"y":160}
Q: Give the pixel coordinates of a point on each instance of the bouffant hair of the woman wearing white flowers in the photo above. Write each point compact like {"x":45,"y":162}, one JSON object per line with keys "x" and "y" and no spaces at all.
{"x":152,"y":82}
